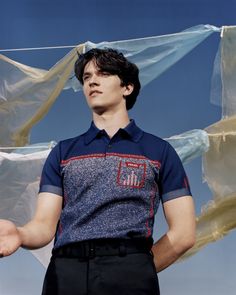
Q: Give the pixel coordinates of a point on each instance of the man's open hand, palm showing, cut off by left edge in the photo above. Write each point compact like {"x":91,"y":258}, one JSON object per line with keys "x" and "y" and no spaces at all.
{"x":10,"y":239}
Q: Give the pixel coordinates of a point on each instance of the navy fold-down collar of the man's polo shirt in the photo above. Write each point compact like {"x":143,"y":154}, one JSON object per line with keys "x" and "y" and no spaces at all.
{"x":132,"y":130}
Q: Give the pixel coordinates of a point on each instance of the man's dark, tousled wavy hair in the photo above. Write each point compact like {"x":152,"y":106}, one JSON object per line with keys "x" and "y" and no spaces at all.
{"x":111,"y":61}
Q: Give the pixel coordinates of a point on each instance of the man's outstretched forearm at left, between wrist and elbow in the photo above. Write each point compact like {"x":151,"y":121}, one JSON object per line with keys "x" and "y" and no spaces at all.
{"x":35,"y":234}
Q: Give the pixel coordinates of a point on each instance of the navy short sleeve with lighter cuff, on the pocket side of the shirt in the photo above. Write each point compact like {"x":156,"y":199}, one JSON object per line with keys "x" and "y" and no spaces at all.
{"x":173,"y":182}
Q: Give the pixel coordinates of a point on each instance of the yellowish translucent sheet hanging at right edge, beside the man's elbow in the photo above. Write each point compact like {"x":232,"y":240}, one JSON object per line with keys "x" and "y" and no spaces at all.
{"x":218,"y":217}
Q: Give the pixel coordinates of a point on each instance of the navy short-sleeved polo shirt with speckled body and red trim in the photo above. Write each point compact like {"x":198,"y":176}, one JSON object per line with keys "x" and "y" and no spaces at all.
{"x":111,"y":188}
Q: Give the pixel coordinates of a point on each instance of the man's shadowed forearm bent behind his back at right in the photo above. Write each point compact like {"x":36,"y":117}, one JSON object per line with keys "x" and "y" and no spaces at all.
{"x":169,"y":248}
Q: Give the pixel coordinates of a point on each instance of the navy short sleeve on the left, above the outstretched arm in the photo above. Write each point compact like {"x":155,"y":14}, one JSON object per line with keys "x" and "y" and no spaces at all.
{"x":51,"y":180}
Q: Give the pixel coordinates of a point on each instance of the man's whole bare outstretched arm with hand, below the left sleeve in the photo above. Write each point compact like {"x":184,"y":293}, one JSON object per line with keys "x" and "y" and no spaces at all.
{"x":36,"y":233}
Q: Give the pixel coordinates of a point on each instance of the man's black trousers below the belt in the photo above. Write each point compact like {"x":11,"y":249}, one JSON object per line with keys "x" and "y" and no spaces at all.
{"x":132,"y":274}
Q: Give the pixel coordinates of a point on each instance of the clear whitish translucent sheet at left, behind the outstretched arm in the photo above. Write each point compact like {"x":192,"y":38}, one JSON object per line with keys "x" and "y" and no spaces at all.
{"x":19,"y":178}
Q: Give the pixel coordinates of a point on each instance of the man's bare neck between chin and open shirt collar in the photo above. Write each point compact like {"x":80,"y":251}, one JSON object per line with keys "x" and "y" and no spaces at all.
{"x":111,"y":123}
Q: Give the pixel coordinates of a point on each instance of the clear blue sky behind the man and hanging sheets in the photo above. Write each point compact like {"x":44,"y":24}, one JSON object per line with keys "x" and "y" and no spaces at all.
{"x":175,"y":102}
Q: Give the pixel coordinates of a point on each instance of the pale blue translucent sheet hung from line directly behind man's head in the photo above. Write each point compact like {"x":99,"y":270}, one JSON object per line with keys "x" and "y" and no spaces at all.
{"x":154,"y":55}
